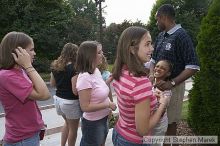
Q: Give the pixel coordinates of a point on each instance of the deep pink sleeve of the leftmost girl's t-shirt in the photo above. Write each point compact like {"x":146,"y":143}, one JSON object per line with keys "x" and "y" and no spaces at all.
{"x":19,"y":86}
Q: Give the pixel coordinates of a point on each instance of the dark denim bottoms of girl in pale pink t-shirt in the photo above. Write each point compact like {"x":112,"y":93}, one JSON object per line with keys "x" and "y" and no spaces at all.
{"x":94,"y":133}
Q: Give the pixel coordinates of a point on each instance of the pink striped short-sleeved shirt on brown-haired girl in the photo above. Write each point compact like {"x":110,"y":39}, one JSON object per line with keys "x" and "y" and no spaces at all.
{"x":131,"y":90}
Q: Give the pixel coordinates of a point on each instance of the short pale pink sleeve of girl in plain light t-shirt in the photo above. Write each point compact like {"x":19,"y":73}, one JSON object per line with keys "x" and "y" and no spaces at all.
{"x":84,"y":81}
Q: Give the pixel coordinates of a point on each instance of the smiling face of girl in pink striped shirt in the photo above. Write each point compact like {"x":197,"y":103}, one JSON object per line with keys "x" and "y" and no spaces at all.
{"x":145,"y":48}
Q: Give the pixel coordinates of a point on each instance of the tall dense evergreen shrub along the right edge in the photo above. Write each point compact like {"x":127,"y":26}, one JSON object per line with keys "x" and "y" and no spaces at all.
{"x":204,"y":105}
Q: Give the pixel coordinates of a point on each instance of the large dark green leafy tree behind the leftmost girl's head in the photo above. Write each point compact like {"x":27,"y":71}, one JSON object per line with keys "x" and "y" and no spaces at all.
{"x":45,"y":21}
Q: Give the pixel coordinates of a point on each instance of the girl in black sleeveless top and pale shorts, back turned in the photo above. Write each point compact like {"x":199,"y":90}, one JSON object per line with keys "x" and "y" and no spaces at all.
{"x":66,"y":102}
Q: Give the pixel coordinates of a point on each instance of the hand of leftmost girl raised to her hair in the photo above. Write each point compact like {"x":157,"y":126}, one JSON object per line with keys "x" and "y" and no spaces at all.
{"x":22,"y":58}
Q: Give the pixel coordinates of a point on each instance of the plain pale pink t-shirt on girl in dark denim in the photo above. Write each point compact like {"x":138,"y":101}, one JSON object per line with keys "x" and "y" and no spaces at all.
{"x":99,"y":93}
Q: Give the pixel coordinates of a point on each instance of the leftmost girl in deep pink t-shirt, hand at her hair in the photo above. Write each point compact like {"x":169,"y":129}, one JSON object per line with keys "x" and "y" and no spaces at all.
{"x":20,"y":87}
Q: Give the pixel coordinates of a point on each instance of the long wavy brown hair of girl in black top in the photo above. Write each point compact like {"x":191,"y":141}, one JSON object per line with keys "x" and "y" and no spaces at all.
{"x":68,"y":54}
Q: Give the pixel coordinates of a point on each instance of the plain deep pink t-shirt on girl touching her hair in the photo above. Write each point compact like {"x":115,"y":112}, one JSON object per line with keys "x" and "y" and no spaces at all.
{"x":22,"y":115}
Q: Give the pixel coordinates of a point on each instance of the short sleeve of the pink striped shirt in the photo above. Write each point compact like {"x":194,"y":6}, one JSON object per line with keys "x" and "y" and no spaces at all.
{"x":142,"y":90}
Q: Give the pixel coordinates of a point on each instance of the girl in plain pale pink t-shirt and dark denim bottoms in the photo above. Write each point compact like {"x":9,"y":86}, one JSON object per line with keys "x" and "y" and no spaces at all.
{"x":93,"y":94}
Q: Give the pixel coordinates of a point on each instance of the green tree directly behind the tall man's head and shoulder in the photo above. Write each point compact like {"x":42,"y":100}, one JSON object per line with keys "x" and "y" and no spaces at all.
{"x":189,"y":14}
